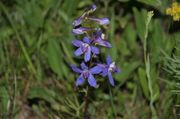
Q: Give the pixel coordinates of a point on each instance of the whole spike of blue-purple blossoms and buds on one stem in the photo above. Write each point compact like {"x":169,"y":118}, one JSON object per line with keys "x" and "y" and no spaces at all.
{"x":92,"y":39}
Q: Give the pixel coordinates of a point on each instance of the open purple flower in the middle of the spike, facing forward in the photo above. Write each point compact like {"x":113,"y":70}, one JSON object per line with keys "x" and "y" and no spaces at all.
{"x":85,"y":48}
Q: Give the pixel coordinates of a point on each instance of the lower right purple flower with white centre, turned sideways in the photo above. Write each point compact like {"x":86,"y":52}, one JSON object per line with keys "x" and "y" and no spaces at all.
{"x":108,"y":68}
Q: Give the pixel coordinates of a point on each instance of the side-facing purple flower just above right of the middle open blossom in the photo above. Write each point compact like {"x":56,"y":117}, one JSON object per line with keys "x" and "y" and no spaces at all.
{"x":98,"y":38}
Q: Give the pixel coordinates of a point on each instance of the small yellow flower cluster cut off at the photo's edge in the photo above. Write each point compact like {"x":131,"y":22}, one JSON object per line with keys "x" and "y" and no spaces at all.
{"x":174,"y":11}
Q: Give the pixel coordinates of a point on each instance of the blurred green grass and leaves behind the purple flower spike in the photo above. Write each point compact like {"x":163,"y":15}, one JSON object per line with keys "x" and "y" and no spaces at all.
{"x":36,"y":81}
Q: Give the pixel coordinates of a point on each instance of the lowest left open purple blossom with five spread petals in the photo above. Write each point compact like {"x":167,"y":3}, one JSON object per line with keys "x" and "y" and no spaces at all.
{"x":86,"y":73}
